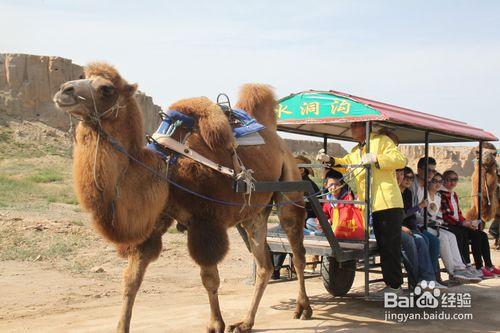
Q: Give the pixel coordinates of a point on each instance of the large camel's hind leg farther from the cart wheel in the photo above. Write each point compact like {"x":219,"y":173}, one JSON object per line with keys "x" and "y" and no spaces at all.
{"x":256,"y":230}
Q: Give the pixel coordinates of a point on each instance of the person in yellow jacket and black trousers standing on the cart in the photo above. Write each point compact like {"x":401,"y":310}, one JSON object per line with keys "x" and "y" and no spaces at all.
{"x":386,"y":201}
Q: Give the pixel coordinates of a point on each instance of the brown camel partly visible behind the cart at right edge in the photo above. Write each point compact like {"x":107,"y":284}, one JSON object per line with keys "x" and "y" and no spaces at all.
{"x":489,"y":181}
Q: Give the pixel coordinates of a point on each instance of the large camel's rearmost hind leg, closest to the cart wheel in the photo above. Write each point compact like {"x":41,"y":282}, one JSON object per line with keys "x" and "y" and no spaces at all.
{"x":292,"y":221}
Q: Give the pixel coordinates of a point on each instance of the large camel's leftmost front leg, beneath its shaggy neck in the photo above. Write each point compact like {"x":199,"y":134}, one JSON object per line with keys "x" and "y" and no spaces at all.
{"x":139,"y":258}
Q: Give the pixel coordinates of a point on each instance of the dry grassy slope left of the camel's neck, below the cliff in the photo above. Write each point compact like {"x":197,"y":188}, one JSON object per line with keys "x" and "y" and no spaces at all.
{"x":35,"y":166}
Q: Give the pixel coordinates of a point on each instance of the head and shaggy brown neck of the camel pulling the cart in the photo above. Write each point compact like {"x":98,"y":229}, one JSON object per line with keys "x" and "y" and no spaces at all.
{"x":117,"y":193}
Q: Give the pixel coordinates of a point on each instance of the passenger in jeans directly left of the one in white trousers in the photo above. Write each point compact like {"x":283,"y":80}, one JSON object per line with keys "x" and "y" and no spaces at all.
{"x":417,"y":190}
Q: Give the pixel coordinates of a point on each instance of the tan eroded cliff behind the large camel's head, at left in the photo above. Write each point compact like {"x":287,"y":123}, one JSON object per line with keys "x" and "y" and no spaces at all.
{"x":28,"y":83}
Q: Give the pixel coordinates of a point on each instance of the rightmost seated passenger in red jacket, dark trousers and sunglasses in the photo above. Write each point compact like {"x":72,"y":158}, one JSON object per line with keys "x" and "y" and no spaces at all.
{"x":453,"y":218}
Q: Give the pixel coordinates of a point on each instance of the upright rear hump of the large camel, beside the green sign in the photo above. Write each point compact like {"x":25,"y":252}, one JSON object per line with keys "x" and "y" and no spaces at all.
{"x":259,"y":101}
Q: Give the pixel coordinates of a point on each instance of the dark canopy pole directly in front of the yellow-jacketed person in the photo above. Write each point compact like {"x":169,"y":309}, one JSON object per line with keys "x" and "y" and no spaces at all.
{"x":368,"y":208}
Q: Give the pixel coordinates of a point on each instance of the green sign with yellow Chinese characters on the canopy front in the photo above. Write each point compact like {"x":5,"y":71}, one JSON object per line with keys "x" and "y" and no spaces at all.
{"x":317,"y":106}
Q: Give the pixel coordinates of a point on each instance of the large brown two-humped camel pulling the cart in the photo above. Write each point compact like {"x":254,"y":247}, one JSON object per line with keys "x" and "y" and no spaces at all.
{"x":132,"y":207}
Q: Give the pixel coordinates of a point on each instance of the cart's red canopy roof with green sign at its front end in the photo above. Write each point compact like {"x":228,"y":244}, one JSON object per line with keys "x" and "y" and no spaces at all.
{"x":329,"y":113}
